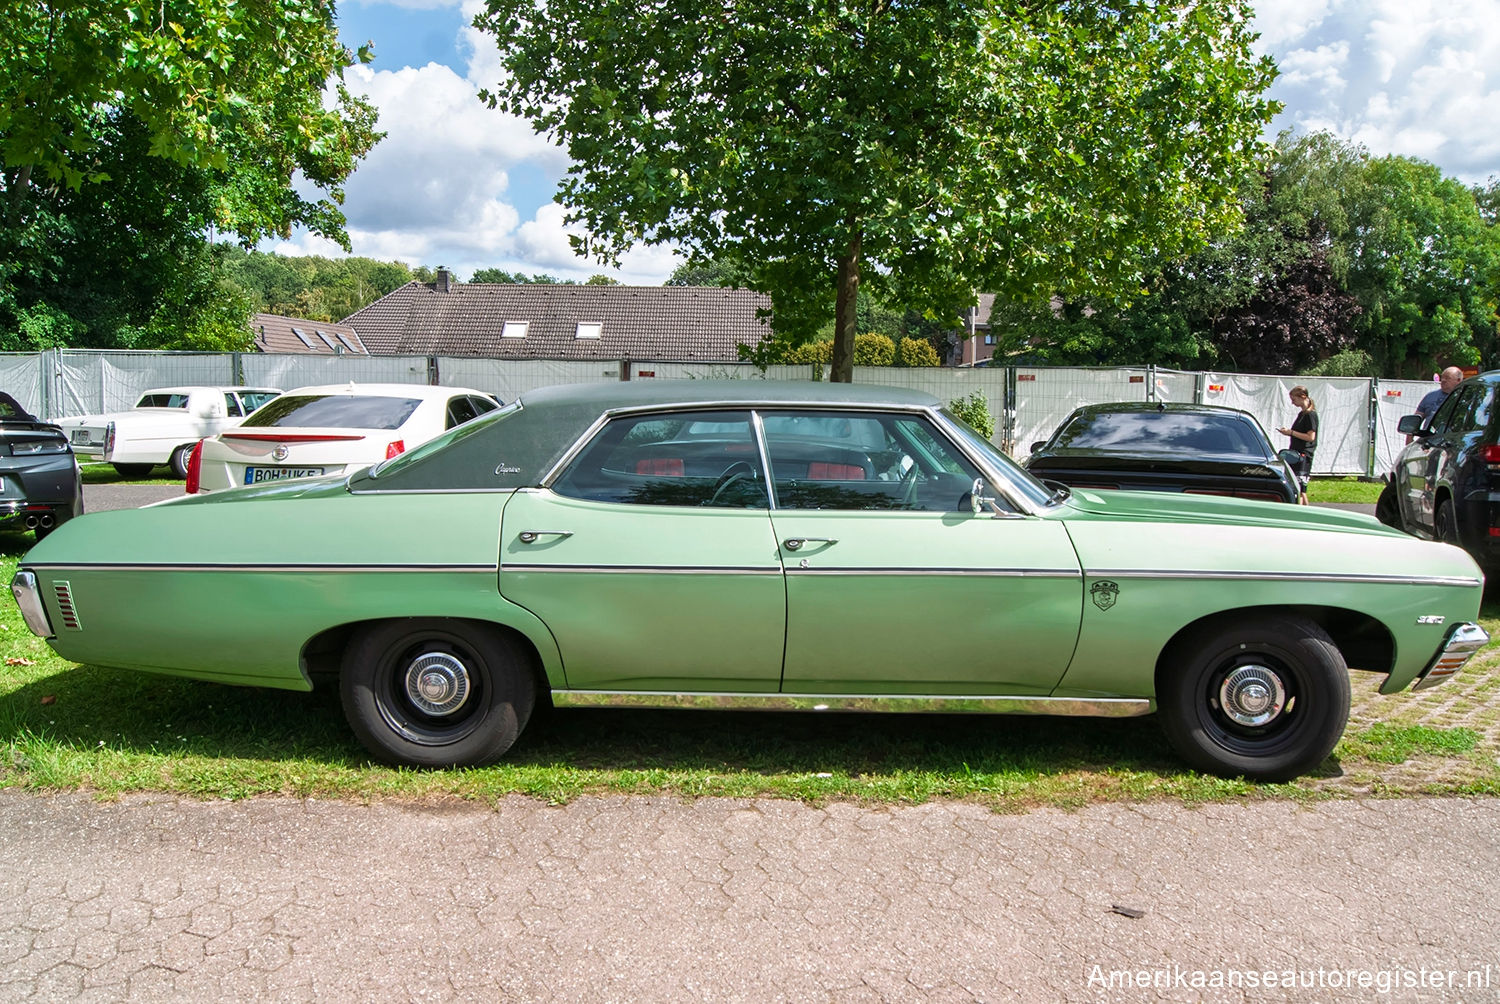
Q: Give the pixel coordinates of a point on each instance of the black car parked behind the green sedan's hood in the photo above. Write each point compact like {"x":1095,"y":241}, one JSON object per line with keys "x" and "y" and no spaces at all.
{"x":1166,"y":448}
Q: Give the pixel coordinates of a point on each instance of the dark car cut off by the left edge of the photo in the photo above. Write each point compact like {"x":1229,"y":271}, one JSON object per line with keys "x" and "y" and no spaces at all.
{"x":40,"y":482}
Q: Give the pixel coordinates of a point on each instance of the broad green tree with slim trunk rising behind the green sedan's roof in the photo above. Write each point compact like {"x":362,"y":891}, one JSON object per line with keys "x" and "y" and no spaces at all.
{"x":922,"y":151}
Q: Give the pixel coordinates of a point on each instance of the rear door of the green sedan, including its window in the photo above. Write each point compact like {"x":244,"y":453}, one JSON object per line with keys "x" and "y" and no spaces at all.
{"x":652,"y":559}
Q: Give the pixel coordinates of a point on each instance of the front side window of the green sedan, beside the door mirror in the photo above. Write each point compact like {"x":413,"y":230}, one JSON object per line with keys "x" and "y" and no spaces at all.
{"x":863,"y":461}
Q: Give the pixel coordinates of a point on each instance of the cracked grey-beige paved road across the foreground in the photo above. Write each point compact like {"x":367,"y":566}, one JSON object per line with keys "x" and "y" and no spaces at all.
{"x":658,"y":900}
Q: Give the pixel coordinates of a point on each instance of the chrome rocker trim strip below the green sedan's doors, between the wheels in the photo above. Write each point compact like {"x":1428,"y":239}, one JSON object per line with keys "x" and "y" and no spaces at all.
{"x":943,"y":705}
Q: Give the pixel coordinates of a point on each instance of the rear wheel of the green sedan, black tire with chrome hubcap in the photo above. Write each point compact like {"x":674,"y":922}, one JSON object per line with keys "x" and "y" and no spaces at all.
{"x":463,"y":726}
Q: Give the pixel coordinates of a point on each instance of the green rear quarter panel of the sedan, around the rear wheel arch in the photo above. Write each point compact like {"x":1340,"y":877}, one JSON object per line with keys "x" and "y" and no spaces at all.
{"x":233,"y":591}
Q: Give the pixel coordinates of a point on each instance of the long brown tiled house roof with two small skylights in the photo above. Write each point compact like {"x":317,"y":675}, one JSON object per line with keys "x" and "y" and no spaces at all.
{"x":563,"y":322}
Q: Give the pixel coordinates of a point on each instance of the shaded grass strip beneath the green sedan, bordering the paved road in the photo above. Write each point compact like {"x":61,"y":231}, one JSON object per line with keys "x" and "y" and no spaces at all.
{"x":67,"y":727}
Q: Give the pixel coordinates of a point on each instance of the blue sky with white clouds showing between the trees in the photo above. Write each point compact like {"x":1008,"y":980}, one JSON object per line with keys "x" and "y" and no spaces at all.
{"x":458,"y":185}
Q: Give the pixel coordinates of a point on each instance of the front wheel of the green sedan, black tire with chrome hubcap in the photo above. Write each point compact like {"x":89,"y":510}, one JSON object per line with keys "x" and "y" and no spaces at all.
{"x":1219,"y":708}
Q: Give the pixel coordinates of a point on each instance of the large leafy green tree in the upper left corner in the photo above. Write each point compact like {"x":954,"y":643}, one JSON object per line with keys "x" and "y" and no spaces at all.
{"x":131,"y":134}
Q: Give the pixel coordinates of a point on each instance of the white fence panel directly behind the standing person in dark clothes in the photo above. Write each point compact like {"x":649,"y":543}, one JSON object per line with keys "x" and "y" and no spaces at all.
{"x":1343,"y":413}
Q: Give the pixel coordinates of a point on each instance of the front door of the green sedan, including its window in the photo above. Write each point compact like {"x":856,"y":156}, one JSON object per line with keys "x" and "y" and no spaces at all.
{"x":893,"y":585}
